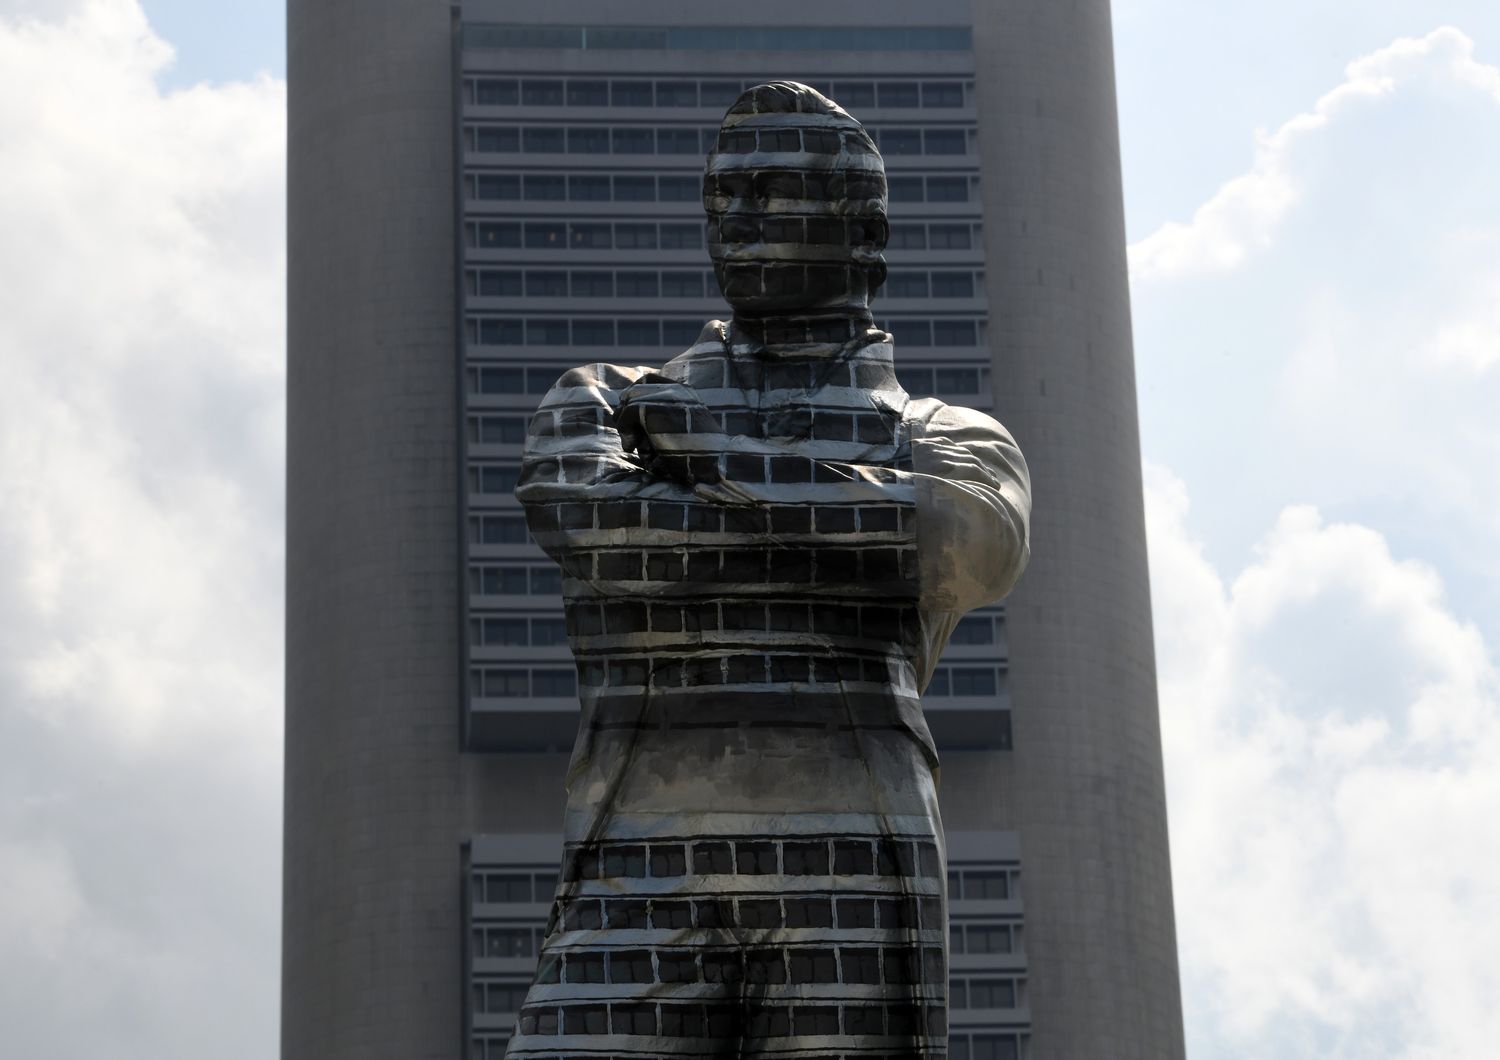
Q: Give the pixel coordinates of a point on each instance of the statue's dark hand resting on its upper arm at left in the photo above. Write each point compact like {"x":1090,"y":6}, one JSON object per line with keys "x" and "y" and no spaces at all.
{"x":673,"y":433}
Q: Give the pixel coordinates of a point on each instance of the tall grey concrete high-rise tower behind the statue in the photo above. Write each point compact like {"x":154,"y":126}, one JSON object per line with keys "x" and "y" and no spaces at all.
{"x":484,"y":196}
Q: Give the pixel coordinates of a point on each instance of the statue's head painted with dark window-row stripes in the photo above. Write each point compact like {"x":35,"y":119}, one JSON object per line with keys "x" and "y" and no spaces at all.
{"x":796,"y":199}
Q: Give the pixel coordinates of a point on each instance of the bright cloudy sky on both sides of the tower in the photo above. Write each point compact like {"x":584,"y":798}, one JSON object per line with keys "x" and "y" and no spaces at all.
{"x":1316,"y":284}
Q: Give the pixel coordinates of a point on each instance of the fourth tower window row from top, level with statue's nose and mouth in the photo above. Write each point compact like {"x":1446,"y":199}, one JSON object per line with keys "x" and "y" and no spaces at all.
{"x":676,"y":236}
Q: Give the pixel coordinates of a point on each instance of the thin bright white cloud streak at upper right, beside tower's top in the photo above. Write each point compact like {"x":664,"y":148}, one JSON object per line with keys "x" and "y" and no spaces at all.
{"x":1246,"y":214}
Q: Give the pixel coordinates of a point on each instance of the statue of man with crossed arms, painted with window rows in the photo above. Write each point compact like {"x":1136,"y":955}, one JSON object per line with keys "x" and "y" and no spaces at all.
{"x":766,"y":546}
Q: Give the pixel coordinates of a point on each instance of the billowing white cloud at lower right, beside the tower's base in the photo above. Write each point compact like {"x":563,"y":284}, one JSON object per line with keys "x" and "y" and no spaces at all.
{"x":1333,"y":737}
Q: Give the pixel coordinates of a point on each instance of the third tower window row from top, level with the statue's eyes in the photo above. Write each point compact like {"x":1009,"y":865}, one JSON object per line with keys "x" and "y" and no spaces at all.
{"x":647,"y":188}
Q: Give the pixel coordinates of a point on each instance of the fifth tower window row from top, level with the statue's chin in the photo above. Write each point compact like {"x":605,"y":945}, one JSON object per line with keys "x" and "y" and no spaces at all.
{"x":682,"y":284}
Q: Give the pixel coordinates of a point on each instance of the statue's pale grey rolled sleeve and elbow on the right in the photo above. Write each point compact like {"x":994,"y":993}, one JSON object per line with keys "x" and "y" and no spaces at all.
{"x":973,"y":508}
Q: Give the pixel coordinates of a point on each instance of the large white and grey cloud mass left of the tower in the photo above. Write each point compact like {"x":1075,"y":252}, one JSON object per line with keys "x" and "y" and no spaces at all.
{"x":140,"y":543}
